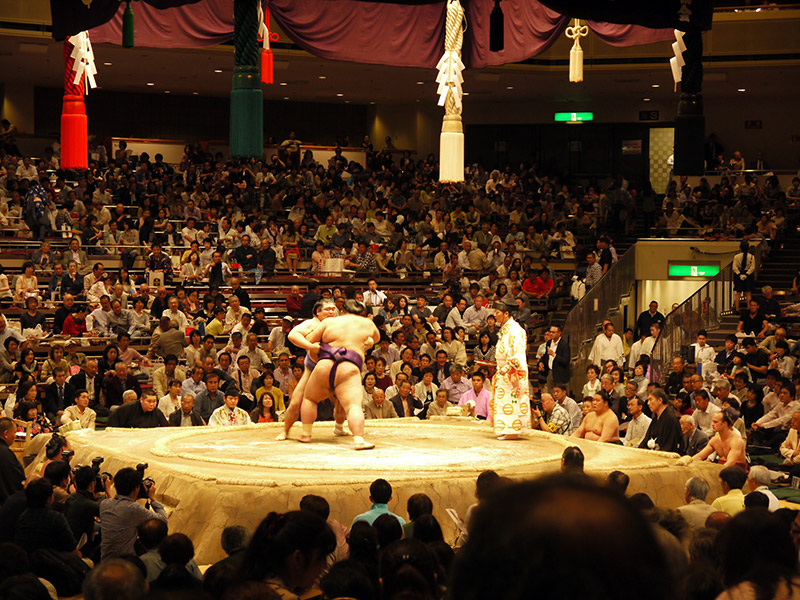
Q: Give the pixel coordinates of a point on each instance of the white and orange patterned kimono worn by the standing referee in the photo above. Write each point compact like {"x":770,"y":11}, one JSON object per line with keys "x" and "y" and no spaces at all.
{"x":510,"y":407}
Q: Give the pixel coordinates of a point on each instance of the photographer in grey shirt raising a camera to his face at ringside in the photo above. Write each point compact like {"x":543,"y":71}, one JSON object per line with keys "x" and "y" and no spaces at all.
{"x":120,"y":516}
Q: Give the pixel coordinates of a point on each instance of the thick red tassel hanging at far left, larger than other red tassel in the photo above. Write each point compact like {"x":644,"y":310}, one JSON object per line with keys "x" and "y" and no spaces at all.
{"x":74,"y":124}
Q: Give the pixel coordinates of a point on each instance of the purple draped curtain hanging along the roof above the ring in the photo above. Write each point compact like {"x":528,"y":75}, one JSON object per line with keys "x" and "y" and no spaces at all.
{"x":371,"y":32}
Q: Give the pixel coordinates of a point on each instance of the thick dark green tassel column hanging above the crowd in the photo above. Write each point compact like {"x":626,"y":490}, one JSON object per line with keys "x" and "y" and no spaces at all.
{"x":247,"y":100}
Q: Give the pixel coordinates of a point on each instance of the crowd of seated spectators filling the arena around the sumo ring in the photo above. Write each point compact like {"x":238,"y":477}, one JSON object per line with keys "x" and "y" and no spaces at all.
{"x":176,"y":337}
